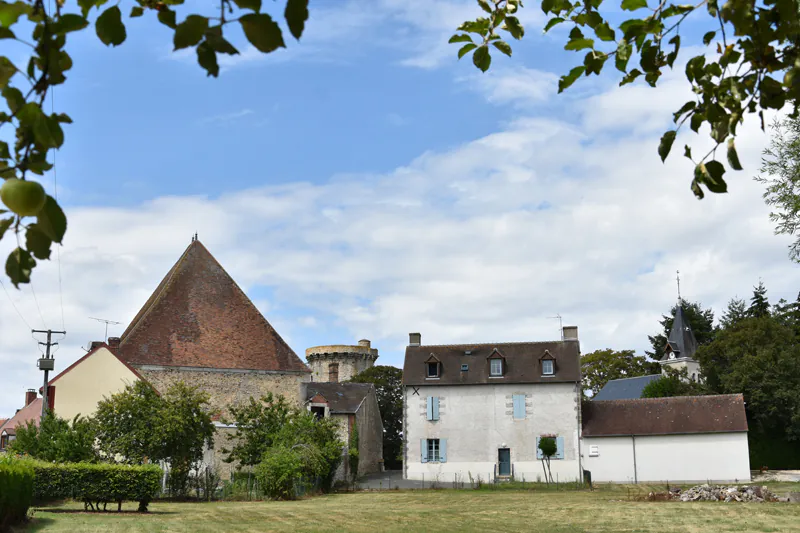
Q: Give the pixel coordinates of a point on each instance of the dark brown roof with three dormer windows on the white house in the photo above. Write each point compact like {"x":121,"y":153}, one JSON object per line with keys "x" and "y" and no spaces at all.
{"x":522,"y":363}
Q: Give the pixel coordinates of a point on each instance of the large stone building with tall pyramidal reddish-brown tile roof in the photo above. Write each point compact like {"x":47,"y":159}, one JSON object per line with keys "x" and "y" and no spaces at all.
{"x":199,"y":327}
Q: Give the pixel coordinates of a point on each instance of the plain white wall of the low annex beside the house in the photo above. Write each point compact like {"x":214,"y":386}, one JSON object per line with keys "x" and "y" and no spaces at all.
{"x":678,"y":458}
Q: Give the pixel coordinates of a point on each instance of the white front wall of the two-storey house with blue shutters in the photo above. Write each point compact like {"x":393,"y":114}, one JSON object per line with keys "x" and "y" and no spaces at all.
{"x":477,"y":420}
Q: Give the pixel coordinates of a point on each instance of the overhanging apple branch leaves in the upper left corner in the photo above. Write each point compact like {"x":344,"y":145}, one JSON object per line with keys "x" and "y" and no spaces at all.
{"x":25,"y":87}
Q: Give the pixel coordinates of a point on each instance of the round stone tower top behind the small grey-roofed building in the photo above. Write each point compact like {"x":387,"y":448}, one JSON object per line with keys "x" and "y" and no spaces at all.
{"x":339,"y":362}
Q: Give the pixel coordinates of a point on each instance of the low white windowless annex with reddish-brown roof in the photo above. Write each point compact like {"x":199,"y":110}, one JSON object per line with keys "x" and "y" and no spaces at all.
{"x":680,"y":439}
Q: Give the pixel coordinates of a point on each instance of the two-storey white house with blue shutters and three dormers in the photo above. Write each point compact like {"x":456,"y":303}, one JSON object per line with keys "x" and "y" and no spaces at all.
{"x":480,"y":409}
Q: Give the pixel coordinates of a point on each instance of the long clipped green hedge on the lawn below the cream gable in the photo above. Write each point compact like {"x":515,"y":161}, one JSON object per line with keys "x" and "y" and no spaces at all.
{"x":96,"y":484}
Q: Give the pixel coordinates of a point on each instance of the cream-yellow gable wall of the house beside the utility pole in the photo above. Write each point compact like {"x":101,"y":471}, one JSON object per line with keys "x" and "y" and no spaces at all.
{"x":96,"y":375}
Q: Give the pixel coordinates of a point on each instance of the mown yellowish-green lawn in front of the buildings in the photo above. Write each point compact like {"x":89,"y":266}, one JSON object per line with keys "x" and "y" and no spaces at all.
{"x":434,"y":510}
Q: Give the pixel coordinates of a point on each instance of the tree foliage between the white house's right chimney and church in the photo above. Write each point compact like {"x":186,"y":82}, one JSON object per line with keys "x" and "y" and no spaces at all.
{"x":601,"y":366}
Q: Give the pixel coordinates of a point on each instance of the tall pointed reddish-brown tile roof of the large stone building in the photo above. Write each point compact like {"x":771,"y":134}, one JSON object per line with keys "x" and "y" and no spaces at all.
{"x":199,"y":317}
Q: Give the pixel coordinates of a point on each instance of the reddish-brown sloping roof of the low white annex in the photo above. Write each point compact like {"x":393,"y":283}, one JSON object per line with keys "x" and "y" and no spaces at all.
{"x":665,"y":416}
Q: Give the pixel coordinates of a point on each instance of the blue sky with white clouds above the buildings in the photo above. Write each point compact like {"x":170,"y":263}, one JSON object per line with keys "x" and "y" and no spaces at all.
{"x":364,"y":183}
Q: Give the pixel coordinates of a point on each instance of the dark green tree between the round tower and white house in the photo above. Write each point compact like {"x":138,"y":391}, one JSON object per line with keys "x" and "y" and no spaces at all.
{"x":389,"y":391}
